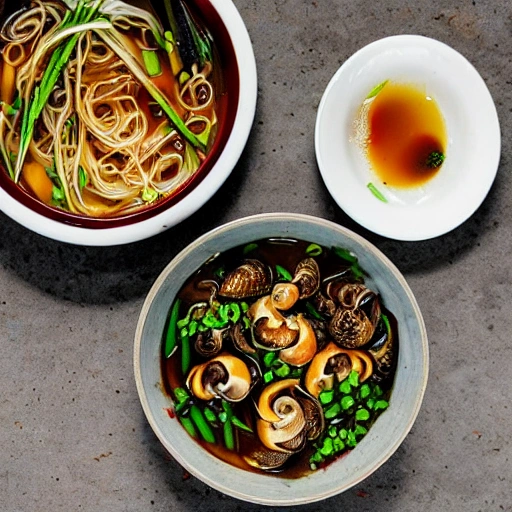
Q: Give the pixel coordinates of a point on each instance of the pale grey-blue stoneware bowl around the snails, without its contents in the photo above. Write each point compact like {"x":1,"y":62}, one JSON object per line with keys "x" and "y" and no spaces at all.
{"x":383,"y":438}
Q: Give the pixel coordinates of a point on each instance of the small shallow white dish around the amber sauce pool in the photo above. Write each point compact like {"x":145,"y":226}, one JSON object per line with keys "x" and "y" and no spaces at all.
{"x":472,"y":155}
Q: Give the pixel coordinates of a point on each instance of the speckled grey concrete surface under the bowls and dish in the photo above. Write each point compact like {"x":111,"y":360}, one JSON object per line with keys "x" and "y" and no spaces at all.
{"x":72,"y":433}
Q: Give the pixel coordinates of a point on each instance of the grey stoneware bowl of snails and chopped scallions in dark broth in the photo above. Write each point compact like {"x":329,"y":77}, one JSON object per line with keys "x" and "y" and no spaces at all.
{"x":256,"y":434}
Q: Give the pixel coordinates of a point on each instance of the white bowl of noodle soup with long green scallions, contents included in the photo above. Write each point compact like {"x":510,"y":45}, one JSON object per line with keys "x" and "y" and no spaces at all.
{"x":120,"y":120}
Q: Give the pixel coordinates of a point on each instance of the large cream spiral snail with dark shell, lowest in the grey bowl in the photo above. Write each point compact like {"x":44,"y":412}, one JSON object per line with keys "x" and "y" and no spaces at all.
{"x":285,"y":422}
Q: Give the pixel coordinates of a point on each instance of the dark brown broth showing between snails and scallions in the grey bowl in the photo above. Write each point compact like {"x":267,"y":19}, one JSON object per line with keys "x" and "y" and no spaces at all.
{"x":287,"y":254}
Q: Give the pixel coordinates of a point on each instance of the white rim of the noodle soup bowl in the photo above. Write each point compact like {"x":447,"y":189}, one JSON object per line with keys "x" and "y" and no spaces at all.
{"x":151,"y":224}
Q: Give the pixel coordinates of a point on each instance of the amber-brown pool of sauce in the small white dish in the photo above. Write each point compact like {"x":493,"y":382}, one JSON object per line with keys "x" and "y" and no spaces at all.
{"x":404,"y":127}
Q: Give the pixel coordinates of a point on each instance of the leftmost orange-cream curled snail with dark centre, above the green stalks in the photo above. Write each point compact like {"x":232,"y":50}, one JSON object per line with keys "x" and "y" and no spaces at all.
{"x":226,"y":376}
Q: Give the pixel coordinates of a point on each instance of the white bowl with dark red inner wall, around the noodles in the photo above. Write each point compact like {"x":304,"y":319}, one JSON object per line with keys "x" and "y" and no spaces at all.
{"x":226,"y":23}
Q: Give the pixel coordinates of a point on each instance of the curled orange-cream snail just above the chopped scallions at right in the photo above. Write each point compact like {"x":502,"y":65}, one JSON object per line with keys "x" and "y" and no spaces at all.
{"x":333,"y":364}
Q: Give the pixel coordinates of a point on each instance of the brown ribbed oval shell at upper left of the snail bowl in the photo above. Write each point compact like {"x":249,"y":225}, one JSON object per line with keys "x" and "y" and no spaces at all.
{"x":251,"y":279}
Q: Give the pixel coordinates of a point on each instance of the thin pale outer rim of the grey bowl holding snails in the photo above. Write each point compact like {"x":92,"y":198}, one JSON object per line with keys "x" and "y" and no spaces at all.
{"x":240,"y":224}
